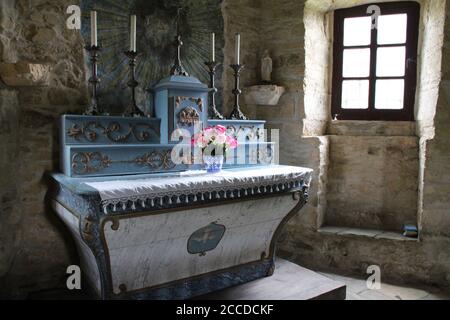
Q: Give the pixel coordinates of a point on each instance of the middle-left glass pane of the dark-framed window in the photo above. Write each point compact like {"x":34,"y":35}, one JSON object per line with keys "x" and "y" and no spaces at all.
{"x":356,"y":63}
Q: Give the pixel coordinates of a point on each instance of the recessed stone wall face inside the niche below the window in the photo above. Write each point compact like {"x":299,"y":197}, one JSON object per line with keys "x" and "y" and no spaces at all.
{"x":372,"y":182}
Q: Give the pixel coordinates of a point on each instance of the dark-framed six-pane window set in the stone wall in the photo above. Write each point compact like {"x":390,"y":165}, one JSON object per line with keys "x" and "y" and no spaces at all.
{"x":375,"y":68}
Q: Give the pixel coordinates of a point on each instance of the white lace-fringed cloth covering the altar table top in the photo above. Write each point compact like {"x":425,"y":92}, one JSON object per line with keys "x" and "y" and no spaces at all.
{"x":193,"y":186}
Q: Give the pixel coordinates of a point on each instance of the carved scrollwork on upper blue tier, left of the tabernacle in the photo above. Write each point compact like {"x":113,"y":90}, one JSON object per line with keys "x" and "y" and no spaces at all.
{"x":112,"y":131}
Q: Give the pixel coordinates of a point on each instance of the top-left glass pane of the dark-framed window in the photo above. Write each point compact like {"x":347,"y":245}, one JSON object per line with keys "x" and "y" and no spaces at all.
{"x":357,"y":31}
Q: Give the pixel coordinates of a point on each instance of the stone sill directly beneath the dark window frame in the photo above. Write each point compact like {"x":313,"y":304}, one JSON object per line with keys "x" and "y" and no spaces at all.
{"x":371,"y":128}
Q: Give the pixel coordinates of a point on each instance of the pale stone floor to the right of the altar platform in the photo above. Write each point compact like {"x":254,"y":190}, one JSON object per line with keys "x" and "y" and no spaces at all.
{"x":357,"y":290}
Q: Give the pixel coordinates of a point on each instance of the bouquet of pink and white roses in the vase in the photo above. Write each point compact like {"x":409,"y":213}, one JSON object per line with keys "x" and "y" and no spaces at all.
{"x":214,"y":140}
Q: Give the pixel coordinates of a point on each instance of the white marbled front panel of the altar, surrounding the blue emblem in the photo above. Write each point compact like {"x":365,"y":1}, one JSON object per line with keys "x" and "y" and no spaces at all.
{"x":161,"y":242}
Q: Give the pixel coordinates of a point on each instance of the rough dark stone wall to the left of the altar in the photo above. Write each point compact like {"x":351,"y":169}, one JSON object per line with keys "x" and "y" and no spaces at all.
{"x":41,"y":66}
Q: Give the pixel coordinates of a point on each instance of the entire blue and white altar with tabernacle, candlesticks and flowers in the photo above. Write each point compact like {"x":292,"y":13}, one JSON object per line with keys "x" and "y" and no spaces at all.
{"x":176,"y":203}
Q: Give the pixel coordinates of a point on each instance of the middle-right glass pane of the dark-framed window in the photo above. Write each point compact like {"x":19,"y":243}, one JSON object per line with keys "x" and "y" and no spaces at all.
{"x":391,"y":62}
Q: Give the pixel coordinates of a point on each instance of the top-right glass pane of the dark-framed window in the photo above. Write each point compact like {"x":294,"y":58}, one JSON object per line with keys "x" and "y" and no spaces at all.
{"x":392,"y":28}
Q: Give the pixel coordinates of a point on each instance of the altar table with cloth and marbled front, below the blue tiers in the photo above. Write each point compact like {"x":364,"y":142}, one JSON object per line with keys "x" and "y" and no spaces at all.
{"x":180,"y":235}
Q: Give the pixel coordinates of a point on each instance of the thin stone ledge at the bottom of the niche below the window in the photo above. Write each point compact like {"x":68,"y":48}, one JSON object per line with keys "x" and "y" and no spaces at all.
{"x":367,"y":233}
